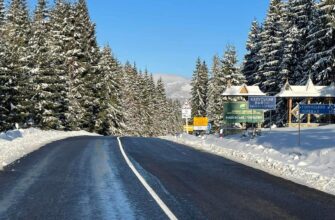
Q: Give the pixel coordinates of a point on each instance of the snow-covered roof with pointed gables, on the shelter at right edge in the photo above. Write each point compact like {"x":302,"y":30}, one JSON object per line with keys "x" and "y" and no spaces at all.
{"x":307,"y":91}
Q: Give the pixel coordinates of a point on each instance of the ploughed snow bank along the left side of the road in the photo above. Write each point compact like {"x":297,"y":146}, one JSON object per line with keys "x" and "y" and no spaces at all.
{"x":18,"y":143}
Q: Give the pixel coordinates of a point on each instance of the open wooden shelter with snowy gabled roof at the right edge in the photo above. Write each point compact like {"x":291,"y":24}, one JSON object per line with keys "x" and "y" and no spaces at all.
{"x":305,"y":94}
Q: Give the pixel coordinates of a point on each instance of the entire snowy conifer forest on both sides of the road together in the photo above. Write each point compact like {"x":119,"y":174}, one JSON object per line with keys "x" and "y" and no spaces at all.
{"x":54,"y":74}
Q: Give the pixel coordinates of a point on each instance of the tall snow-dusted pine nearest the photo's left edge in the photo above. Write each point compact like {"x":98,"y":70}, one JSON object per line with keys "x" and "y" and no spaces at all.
{"x":16,"y":34}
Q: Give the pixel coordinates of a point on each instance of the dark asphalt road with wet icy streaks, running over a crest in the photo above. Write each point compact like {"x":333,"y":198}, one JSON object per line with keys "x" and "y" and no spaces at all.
{"x":88,"y":178}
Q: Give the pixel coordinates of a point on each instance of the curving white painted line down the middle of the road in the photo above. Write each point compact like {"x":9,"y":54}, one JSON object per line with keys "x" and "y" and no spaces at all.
{"x":154,"y":195}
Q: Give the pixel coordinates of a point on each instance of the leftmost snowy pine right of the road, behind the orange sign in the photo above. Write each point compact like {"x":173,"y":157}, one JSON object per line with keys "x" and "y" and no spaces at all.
{"x":199,"y":89}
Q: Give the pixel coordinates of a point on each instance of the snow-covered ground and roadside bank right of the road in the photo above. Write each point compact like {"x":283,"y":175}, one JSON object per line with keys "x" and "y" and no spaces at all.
{"x":278,"y":153}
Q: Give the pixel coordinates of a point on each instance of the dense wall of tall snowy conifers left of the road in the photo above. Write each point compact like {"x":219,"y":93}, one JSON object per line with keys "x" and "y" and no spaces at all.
{"x":53,"y":75}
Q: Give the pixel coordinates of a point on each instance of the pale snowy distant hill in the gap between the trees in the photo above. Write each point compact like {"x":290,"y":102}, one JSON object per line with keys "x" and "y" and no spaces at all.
{"x":177,"y":87}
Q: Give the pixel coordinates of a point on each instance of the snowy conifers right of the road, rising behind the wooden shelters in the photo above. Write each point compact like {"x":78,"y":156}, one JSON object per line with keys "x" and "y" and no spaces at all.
{"x":296,"y":40}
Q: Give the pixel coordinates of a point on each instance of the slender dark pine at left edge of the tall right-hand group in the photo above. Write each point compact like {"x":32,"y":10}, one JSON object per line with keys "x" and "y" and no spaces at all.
{"x":252,"y":60}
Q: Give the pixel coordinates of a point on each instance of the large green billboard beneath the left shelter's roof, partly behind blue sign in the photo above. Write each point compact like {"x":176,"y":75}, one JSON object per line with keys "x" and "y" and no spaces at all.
{"x":239,"y":112}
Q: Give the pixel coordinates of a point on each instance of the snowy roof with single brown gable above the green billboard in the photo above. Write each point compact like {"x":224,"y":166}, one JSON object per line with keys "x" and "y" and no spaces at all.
{"x":243,"y":90}
